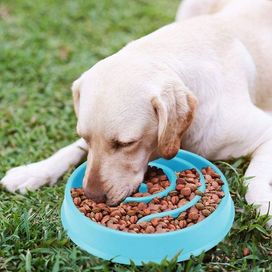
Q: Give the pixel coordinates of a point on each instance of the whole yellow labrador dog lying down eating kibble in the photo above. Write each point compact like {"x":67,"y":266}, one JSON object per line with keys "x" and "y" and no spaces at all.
{"x":203,"y":83}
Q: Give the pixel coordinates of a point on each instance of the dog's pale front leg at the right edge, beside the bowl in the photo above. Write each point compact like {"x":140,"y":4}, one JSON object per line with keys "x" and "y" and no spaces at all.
{"x":260,"y":186}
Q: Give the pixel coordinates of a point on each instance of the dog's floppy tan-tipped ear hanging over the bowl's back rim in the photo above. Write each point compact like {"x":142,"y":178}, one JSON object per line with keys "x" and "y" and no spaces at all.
{"x":175,"y":108}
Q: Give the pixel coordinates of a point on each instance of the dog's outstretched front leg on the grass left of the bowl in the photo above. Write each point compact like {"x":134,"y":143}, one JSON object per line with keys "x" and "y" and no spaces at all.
{"x":32,"y":176}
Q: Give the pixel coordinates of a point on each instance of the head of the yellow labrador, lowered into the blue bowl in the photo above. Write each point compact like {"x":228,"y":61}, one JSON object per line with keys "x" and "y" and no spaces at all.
{"x":127,"y":121}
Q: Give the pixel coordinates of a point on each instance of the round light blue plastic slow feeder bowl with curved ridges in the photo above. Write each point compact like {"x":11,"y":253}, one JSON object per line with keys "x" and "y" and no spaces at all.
{"x":121,"y":247}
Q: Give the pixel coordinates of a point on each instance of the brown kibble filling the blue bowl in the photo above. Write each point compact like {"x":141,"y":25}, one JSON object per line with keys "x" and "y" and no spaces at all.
{"x":125,"y":216}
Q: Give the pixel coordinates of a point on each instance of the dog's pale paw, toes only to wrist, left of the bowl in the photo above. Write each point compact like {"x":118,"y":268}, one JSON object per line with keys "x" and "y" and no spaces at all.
{"x":26,"y":178}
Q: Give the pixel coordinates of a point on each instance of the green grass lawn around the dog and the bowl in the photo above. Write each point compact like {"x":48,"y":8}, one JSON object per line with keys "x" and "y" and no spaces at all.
{"x":44,"y":46}
